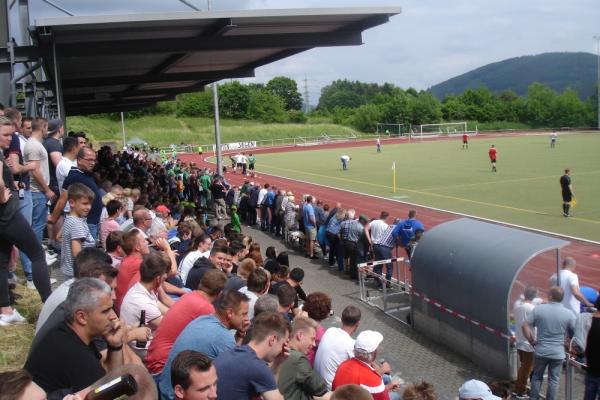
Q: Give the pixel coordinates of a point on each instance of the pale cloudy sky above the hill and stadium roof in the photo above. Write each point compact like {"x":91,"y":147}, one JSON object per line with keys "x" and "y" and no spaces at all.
{"x":429,"y":42}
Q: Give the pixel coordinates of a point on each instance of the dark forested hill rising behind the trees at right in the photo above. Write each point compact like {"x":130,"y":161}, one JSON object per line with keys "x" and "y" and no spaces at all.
{"x":556,"y":70}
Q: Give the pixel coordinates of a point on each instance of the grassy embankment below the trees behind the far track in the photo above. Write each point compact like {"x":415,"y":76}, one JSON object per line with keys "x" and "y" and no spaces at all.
{"x":161,"y":130}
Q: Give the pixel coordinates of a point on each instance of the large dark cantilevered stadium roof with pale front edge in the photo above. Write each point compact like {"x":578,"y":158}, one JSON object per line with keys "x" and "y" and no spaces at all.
{"x":127,"y":62}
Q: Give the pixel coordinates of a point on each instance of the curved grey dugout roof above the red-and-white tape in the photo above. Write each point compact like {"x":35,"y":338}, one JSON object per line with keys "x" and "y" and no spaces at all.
{"x":469,"y":266}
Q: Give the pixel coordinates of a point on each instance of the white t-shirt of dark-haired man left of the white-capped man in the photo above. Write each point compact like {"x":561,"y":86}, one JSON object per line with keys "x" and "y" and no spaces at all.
{"x":336,"y":346}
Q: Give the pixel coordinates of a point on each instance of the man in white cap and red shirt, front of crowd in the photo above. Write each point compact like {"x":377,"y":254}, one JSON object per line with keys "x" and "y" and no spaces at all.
{"x":360,"y":370}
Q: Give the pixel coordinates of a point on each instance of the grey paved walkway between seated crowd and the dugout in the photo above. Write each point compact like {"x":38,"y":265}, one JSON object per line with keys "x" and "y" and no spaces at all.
{"x":413,"y":356}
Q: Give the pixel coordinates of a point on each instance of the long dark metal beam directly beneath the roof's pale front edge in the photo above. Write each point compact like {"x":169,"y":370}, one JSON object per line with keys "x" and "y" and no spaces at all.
{"x":220,"y":43}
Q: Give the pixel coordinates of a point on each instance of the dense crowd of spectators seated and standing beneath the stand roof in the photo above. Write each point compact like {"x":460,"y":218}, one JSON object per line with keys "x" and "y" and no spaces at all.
{"x":161,"y":281}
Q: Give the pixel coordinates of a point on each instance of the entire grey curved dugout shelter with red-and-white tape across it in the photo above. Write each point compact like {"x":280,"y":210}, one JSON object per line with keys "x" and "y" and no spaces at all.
{"x":463,"y":272}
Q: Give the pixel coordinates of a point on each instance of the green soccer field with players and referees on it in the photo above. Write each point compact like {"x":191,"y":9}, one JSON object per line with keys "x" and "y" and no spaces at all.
{"x":524,"y":191}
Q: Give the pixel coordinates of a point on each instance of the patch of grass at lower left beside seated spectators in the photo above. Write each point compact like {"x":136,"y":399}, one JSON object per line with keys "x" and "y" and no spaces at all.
{"x":16,"y":340}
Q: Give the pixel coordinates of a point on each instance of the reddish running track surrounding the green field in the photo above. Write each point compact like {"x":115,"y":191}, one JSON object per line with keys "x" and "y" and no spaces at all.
{"x":536,"y":272}
